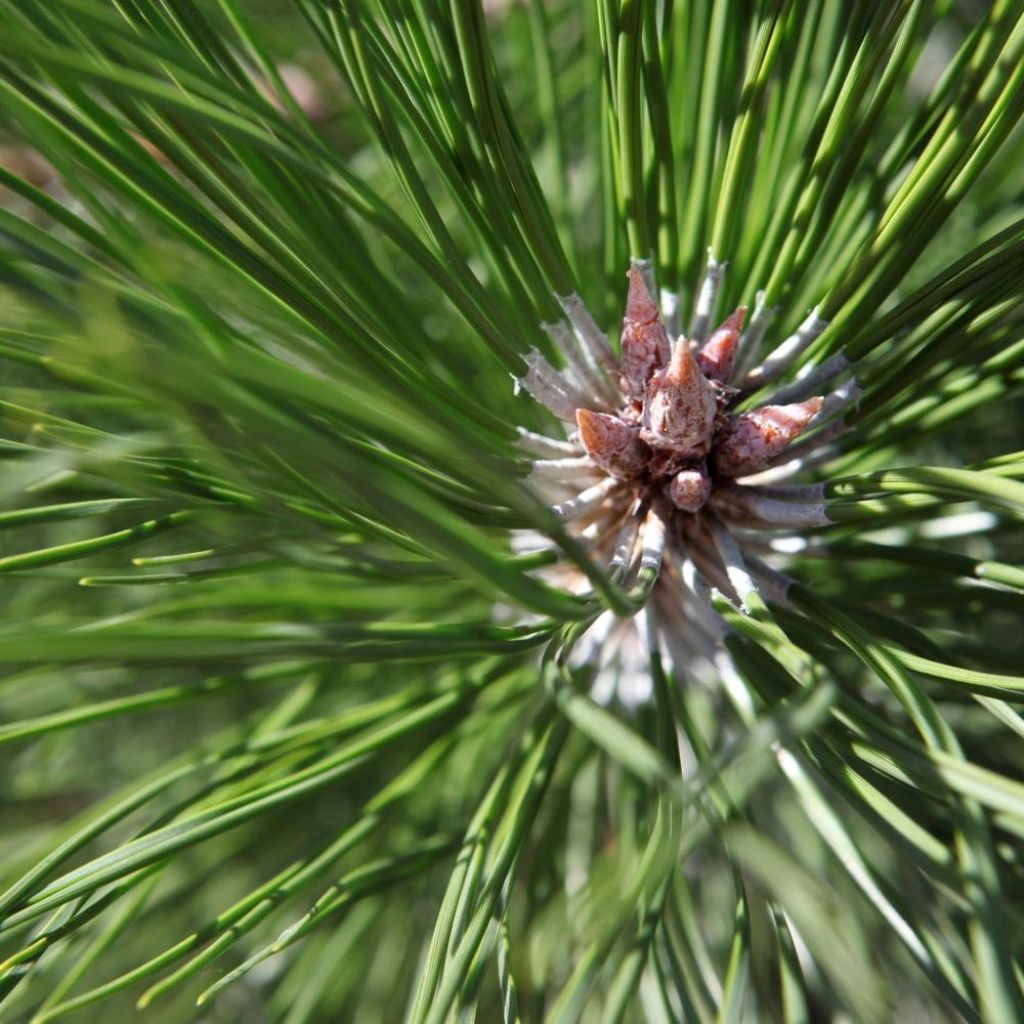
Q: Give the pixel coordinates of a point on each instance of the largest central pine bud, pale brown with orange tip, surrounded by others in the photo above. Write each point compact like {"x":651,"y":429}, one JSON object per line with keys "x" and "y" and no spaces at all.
{"x":681,"y":406}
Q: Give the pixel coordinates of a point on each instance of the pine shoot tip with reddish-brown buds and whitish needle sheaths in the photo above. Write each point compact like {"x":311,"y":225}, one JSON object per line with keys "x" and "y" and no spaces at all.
{"x":662,"y":478}
